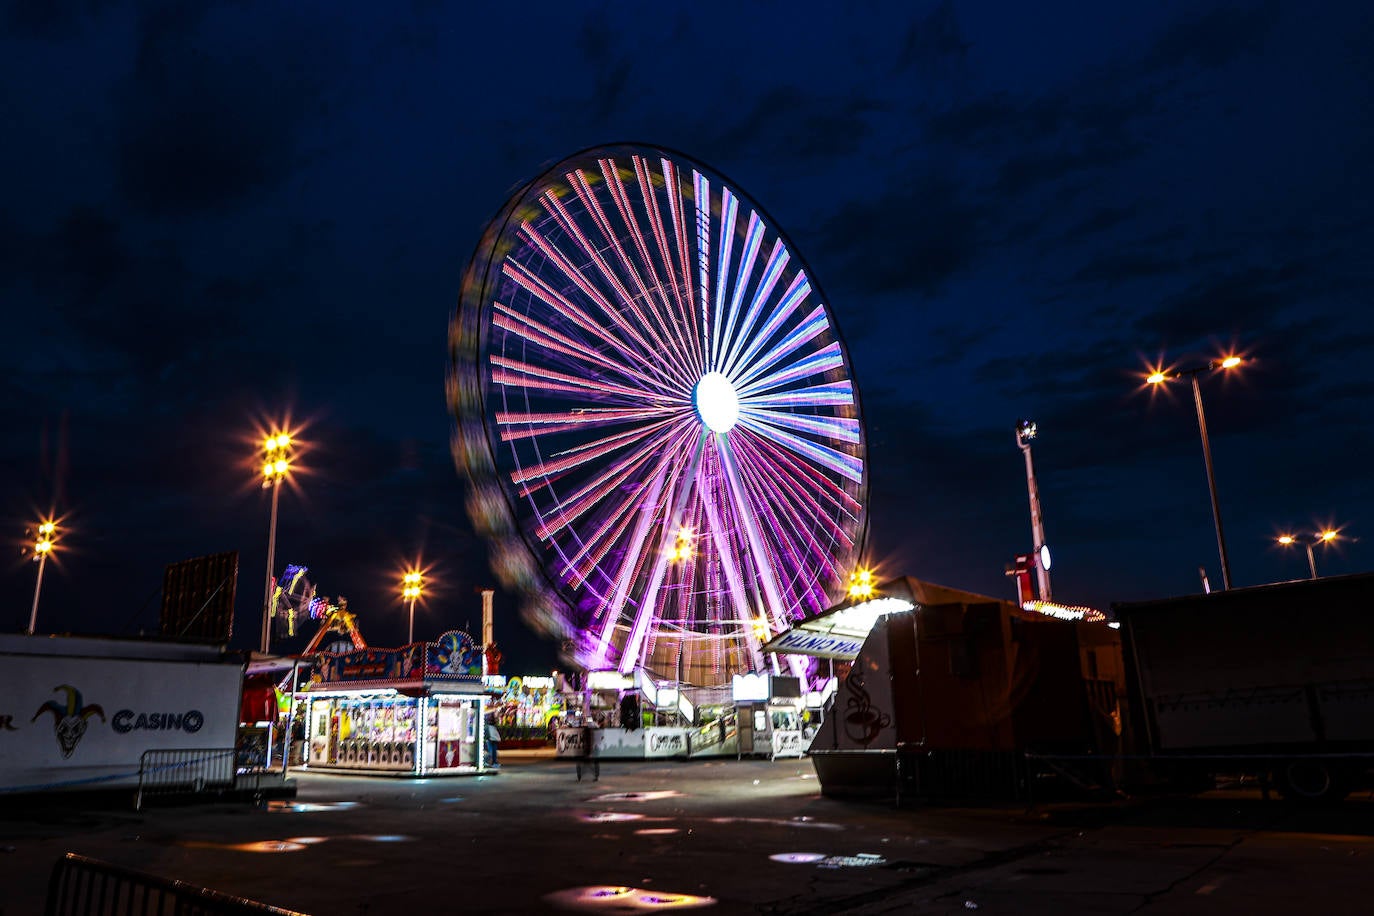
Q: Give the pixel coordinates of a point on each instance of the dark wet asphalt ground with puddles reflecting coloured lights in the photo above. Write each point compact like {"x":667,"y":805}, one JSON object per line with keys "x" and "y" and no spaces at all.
{"x":719,"y":837}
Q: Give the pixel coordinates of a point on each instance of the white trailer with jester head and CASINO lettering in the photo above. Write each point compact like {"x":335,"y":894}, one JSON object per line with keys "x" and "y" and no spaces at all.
{"x":80,"y":713}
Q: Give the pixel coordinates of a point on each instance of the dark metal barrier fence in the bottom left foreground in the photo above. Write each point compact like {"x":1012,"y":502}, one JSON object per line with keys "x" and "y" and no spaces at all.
{"x":82,"y":886}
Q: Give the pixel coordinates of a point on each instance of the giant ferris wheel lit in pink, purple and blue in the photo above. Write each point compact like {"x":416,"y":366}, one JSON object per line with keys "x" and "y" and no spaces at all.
{"x":657,"y":415}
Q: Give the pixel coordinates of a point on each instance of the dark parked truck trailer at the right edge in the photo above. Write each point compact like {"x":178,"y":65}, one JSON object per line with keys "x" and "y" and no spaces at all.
{"x":1276,"y":682}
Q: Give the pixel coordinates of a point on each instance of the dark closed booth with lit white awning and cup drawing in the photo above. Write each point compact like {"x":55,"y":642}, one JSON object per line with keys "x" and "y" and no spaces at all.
{"x":953,"y":696}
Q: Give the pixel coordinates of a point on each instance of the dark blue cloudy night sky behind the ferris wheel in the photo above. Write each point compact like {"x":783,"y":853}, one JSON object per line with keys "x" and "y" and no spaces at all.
{"x":223,"y":214}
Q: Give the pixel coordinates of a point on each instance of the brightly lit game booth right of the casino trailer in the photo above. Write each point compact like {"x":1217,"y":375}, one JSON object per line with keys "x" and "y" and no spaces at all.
{"x":417,"y":711}
